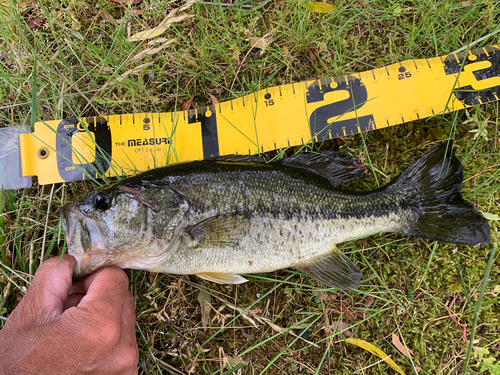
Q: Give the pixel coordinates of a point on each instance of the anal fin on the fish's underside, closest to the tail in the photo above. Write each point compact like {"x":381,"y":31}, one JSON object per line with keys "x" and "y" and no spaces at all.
{"x":335,"y":270}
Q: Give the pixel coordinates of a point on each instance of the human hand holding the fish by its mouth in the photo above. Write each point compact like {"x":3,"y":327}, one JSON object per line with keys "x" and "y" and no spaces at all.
{"x":61,"y":327}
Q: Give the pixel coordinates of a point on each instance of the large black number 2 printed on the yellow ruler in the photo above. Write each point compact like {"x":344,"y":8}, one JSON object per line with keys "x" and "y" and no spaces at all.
{"x":319,"y":120}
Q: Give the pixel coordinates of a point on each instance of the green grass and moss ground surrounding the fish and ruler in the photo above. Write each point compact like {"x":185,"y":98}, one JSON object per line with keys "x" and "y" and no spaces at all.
{"x":261,"y":326}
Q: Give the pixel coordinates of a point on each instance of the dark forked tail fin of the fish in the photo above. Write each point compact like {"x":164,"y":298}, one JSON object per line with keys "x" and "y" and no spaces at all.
{"x":436,"y":180}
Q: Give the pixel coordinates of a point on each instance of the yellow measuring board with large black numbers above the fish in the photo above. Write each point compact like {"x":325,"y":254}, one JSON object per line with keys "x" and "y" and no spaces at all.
{"x":274,"y":118}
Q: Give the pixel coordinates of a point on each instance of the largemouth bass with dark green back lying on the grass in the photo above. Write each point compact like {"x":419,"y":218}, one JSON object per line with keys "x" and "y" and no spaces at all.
{"x":221,"y":218}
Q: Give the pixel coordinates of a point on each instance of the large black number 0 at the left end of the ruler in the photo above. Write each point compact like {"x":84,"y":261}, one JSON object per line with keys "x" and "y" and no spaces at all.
{"x":71,"y":170}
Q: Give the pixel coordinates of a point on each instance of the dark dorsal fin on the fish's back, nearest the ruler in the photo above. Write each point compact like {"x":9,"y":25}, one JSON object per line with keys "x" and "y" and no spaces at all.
{"x":337,"y":167}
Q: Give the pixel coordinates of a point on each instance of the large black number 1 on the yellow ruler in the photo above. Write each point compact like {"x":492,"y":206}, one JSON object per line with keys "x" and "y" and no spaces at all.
{"x":209,"y":137}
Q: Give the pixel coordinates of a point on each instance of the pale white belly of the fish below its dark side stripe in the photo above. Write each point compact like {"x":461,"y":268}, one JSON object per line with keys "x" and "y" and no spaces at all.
{"x":271,"y":244}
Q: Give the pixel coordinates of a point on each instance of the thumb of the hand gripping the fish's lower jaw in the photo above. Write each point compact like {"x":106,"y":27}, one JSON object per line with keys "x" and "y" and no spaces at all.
{"x":44,"y":300}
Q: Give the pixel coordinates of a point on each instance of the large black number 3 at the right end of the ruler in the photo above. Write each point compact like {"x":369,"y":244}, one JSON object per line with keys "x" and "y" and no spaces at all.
{"x":467,"y":94}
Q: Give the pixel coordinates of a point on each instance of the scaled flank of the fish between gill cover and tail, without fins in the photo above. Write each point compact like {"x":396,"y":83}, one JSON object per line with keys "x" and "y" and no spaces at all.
{"x":282,"y":214}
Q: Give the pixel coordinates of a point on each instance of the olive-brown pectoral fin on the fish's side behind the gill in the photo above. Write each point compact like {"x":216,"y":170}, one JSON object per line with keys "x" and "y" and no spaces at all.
{"x":218,"y":231}
